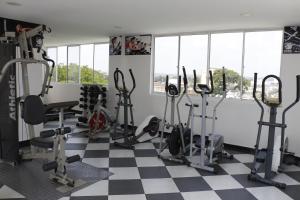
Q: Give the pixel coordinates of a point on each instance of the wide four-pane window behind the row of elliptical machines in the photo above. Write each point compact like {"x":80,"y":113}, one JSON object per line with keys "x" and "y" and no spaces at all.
{"x":241,"y":53}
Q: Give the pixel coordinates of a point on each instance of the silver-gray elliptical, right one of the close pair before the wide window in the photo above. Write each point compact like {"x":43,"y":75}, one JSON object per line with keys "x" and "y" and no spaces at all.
{"x":211,"y":145}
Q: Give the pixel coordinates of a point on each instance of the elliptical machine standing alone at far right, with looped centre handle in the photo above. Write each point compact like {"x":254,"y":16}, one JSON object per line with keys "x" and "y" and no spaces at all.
{"x":271,"y":157}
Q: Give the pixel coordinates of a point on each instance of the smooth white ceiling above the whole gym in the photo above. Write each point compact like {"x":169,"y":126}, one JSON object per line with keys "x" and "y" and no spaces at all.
{"x":84,"y":21}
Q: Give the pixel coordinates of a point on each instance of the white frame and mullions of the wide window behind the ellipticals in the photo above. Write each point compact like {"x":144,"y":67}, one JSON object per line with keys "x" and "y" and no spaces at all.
{"x":209,"y":33}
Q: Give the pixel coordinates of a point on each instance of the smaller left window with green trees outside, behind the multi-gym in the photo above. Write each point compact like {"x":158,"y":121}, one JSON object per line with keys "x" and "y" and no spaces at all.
{"x":86,"y":64}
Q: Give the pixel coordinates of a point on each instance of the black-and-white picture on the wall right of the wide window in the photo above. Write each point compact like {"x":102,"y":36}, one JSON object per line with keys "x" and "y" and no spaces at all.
{"x":291,"y":41}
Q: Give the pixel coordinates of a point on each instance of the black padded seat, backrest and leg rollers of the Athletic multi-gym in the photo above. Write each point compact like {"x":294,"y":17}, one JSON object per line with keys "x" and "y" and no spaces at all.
{"x":50,"y":144}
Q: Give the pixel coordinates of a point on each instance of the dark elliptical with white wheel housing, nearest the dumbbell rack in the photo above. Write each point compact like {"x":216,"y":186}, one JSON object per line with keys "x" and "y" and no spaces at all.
{"x":127,"y":131}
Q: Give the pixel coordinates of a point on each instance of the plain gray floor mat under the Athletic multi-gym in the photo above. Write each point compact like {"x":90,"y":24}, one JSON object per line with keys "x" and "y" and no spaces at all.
{"x":29,"y":179}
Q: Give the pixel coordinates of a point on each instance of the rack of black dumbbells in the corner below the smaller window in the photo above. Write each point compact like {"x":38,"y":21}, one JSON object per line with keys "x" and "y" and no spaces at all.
{"x":89,"y":98}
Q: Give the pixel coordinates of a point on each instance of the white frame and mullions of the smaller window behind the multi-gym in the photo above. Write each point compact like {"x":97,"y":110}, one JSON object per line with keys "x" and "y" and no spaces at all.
{"x":67,"y":64}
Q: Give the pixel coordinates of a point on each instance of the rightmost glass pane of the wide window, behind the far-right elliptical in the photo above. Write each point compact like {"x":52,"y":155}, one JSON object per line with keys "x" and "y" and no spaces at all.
{"x":262,"y":55}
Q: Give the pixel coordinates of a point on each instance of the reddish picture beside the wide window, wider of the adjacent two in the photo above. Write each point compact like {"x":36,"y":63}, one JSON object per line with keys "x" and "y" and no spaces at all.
{"x":138,"y":45}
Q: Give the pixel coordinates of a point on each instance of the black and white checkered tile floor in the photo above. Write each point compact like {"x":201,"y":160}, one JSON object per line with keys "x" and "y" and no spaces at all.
{"x":140,"y":175}
